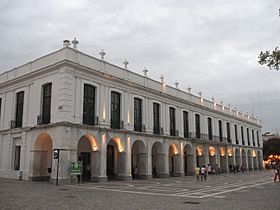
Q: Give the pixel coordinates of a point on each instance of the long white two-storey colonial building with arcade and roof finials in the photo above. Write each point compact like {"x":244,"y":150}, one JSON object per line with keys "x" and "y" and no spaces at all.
{"x":110,"y":118}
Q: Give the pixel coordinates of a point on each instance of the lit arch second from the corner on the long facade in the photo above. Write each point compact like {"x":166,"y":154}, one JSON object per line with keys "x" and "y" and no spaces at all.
{"x":116,"y":159}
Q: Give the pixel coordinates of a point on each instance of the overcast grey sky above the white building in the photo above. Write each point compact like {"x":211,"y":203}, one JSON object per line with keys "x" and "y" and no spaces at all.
{"x":210,"y":45}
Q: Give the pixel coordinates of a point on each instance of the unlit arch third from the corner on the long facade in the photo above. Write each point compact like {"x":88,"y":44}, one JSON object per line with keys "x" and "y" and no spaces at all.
{"x":139,"y":159}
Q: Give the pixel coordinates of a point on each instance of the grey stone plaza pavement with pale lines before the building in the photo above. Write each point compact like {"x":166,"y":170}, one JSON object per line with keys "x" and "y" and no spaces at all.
{"x":251,"y":190}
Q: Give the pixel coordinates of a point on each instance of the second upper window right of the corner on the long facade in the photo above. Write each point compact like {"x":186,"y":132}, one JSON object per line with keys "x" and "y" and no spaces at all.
{"x":115,"y":110}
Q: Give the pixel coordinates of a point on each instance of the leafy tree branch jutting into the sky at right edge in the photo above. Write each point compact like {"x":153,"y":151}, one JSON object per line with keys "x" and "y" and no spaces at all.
{"x":272,"y":60}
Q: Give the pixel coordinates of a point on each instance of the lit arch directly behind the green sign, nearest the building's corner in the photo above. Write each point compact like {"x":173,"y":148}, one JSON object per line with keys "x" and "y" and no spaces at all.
{"x":88,"y":154}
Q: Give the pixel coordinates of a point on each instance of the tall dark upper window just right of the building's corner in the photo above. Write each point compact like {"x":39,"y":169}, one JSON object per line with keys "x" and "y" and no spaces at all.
{"x":89,"y":104}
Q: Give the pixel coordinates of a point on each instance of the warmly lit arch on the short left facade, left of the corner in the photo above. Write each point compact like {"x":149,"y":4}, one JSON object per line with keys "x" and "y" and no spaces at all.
{"x":43,"y":156}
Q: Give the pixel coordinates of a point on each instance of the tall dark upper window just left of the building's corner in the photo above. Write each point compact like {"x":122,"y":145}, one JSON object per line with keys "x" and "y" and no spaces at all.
{"x":46,"y":109}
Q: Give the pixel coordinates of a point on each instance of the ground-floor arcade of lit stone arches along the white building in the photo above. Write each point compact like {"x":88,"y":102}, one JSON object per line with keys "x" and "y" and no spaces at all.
{"x":123,"y":157}
